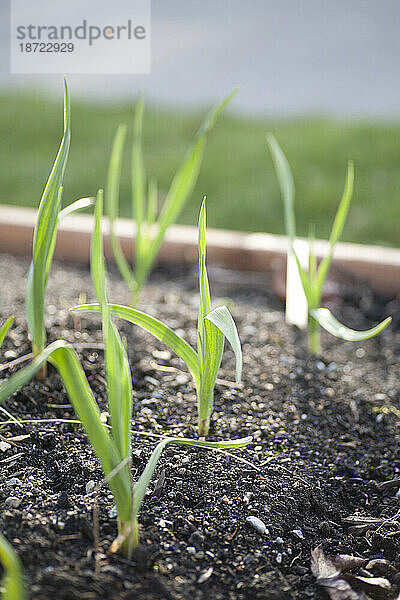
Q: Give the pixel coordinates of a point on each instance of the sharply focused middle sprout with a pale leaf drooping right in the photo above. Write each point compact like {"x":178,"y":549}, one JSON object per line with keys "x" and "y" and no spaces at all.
{"x":212,"y":328}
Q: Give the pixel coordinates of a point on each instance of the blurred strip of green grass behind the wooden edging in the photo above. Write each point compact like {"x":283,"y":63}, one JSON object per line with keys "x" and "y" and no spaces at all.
{"x":237,"y":174}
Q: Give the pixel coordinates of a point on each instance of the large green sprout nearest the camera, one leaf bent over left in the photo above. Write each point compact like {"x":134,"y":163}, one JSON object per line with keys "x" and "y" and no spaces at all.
{"x":113,"y":448}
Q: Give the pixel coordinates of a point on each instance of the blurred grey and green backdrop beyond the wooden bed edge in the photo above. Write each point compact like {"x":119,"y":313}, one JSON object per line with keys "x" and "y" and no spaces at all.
{"x":322,"y":75}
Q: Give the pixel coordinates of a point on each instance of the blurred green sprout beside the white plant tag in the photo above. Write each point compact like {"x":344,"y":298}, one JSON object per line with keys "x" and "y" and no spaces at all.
{"x":313,"y":279}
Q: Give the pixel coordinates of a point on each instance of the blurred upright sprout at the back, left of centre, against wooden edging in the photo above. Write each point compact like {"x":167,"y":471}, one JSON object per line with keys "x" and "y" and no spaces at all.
{"x":150,"y":229}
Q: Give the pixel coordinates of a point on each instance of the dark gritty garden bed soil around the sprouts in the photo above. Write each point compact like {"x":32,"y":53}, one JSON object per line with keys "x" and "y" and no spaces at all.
{"x":325,"y":440}
